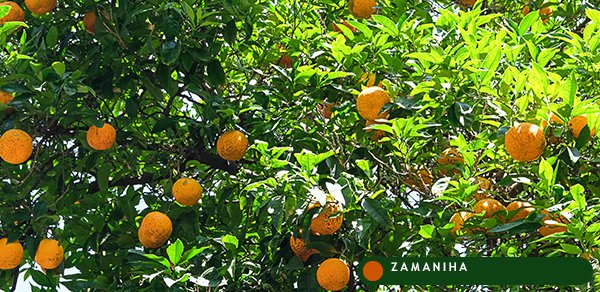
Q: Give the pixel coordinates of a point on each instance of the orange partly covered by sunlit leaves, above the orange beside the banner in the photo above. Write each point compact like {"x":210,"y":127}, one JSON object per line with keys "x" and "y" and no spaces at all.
{"x":325,"y":223}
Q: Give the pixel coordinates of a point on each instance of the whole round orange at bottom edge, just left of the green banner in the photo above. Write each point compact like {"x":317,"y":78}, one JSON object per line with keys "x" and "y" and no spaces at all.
{"x":333,"y":274}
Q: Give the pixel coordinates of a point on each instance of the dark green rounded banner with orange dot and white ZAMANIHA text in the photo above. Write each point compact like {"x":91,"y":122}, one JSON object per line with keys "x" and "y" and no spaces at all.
{"x":475,"y":271}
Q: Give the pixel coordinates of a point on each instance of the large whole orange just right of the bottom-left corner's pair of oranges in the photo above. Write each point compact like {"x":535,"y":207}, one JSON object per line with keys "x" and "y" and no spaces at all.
{"x":155,"y":230}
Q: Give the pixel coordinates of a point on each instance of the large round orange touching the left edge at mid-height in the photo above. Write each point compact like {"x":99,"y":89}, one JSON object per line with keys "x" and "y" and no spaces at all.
{"x":16,"y":146}
